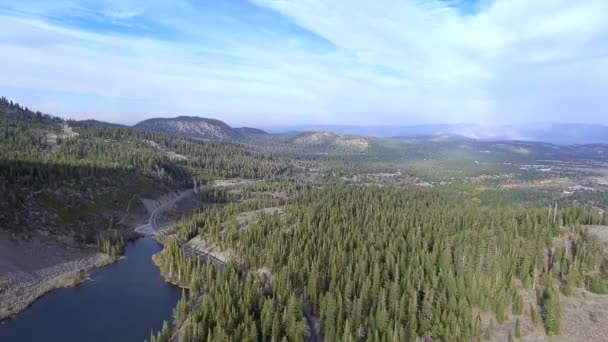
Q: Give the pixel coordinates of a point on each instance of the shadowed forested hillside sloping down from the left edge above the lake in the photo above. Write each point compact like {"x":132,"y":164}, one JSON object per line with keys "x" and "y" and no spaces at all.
{"x":82,"y":177}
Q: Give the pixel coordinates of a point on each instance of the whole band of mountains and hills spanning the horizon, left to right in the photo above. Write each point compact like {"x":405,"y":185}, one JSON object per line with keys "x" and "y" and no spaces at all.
{"x":515,"y":142}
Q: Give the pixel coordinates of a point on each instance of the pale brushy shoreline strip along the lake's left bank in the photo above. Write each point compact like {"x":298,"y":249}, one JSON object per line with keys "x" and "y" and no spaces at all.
{"x":19,"y":290}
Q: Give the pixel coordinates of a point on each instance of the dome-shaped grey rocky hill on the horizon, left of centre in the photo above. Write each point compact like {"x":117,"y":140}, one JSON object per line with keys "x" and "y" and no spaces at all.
{"x":199,"y":127}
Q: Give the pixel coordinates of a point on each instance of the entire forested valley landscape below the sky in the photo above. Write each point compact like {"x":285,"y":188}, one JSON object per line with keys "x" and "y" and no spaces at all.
{"x":304,"y":236}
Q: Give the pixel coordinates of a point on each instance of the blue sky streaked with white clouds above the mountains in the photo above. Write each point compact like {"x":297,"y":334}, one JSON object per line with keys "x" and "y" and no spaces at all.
{"x":267,"y":63}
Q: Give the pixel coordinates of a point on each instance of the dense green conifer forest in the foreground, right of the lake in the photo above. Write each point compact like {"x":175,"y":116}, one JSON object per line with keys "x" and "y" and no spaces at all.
{"x":384,"y":264}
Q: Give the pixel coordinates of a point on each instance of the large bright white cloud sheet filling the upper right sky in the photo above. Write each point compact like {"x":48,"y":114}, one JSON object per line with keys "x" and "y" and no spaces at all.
{"x":481,"y":64}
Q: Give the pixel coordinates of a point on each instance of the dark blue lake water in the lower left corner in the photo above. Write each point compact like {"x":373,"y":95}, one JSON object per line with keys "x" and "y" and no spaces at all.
{"x":122,"y":302}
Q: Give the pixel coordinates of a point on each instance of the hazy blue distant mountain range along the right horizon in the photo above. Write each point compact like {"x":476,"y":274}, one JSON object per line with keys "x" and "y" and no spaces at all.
{"x":552,"y":133}
